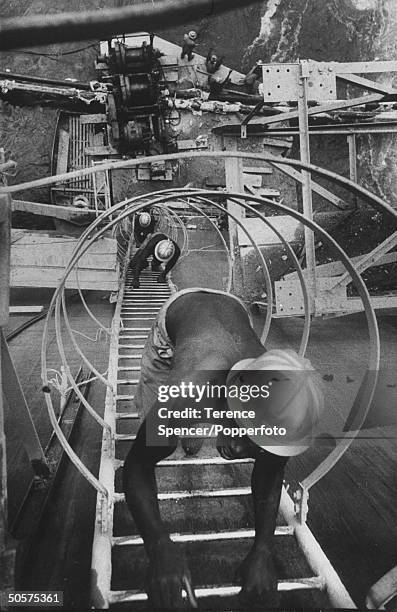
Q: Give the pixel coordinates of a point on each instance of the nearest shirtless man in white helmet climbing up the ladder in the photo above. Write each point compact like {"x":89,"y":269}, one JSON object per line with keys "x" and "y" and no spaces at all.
{"x":203,"y":338}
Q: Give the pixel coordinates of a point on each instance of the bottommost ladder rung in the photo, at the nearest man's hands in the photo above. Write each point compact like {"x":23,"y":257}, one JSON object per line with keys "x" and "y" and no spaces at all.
{"x":292,"y":584}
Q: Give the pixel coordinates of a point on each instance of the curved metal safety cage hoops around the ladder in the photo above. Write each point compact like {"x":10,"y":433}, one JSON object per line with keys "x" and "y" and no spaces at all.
{"x":120,"y":218}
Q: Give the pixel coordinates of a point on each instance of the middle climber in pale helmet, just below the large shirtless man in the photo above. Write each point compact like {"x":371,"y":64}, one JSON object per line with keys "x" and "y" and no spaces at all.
{"x":162,"y":249}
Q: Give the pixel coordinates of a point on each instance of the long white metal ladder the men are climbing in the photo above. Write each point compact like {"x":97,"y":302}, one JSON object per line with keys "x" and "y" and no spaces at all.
{"x":135,"y":312}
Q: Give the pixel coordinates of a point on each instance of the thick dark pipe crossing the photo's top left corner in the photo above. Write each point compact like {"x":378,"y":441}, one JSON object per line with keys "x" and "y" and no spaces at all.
{"x":44,"y":29}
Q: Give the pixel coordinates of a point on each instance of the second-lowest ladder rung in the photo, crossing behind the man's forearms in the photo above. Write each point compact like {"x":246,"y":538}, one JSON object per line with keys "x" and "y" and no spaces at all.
{"x":213,"y":536}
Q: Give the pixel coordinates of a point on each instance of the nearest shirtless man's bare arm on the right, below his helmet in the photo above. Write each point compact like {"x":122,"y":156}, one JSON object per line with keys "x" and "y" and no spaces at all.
{"x":259,"y":579}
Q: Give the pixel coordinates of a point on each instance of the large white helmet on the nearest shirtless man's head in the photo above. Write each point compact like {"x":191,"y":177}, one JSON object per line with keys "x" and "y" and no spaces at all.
{"x":286,"y":414}
